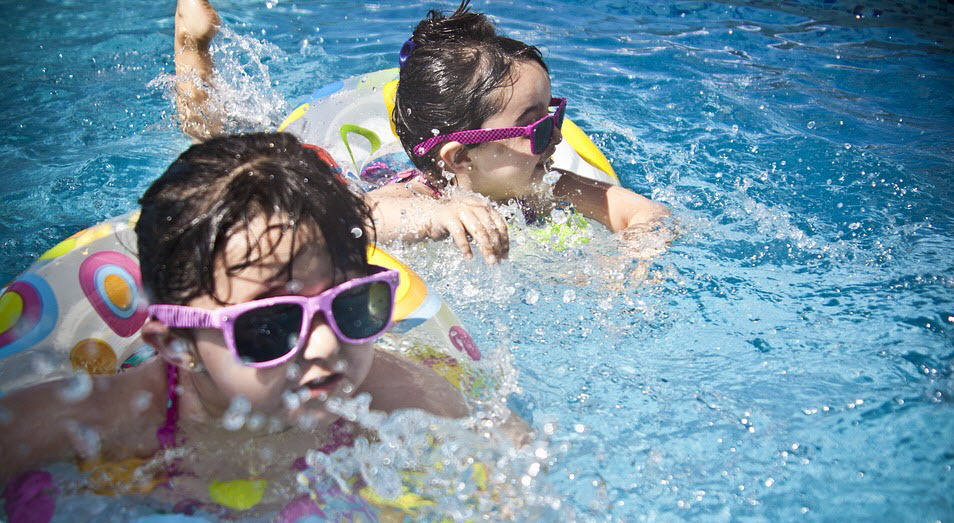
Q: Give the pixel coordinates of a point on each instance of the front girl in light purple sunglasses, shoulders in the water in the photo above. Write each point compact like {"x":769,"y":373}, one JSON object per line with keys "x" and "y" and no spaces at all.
{"x":253,"y":255}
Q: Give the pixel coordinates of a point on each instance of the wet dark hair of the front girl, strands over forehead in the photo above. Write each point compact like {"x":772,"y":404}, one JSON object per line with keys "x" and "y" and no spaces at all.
{"x":216,"y":188}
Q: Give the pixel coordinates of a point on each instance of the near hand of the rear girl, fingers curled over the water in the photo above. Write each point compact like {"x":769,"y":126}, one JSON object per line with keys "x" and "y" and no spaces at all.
{"x":466,"y":217}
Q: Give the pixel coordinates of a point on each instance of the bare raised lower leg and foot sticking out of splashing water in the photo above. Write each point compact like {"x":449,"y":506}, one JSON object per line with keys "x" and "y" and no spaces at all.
{"x":196,"y":23}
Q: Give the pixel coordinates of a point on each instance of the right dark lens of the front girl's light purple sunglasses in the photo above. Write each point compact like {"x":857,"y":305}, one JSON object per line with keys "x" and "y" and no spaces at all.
{"x":363,"y":311}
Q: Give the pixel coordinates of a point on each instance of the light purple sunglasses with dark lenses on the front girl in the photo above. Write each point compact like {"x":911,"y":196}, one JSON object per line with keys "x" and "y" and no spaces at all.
{"x":269,"y":332}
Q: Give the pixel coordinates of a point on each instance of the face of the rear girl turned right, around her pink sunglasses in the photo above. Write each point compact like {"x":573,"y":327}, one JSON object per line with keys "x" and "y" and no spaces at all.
{"x":507,"y":169}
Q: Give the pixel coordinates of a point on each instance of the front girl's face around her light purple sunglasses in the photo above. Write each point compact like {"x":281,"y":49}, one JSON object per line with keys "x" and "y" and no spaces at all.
{"x":324,"y":366}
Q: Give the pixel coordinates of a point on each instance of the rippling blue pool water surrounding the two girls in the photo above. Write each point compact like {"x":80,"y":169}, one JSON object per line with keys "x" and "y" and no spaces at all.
{"x":789,"y":358}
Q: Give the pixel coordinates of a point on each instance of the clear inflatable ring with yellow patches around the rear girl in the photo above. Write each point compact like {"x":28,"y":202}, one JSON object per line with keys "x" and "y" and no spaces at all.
{"x":351,"y":119}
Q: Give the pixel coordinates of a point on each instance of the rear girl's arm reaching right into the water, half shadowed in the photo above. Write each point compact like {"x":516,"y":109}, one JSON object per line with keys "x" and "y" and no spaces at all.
{"x":611,"y":205}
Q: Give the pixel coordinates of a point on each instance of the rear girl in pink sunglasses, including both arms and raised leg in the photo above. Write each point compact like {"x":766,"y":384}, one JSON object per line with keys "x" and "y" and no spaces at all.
{"x":474,"y":110}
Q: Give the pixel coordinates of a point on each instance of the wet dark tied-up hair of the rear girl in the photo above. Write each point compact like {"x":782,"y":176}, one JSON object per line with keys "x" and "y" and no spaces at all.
{"x":449,"y":80}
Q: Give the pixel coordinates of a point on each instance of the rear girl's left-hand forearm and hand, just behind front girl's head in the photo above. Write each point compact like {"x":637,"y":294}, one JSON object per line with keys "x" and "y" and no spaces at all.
{"x":407,"y":212}
